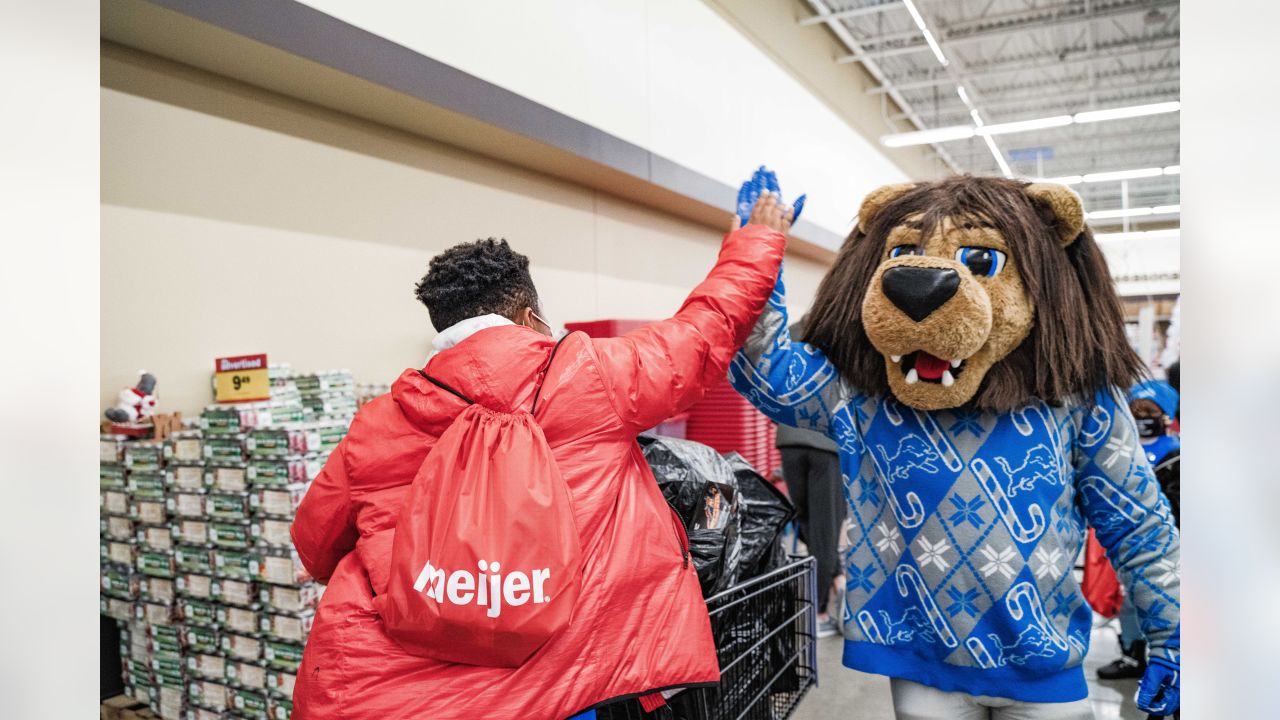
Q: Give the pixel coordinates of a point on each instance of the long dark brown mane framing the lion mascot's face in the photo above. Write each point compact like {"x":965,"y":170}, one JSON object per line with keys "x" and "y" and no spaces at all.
{"x":1077,"y":345}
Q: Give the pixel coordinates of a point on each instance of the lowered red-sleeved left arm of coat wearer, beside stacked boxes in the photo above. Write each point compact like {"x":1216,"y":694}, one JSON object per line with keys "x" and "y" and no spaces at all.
{"x":324,"y":528}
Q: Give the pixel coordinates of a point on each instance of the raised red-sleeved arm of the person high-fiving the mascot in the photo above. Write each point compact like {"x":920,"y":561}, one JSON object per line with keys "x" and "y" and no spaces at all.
{"x":662,"y":370}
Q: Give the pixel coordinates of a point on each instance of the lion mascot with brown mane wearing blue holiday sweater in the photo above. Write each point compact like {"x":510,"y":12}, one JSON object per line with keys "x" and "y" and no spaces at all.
{"x":967,"y":354}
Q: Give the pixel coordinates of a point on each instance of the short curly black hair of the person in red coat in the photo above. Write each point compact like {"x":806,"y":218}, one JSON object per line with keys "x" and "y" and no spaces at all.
{"x":477,"y":279}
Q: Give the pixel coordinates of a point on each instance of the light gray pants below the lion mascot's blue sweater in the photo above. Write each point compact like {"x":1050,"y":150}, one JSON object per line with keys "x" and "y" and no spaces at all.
{"x":913,"y":701}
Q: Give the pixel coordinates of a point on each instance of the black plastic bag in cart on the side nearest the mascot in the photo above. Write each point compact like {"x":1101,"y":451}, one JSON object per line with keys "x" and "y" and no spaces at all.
{"x":764,"y":513}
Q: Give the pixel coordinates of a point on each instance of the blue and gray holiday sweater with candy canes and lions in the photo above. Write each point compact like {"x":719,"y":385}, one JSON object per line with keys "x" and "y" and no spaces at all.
{"x":967,"y":526}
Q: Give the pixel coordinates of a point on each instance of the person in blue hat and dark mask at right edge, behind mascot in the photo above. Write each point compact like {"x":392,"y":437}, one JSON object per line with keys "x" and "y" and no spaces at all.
{"x":1154,"y":405}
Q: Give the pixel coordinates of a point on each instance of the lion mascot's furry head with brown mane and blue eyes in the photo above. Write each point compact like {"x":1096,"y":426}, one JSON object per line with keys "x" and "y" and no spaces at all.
{"x":973,"y":291}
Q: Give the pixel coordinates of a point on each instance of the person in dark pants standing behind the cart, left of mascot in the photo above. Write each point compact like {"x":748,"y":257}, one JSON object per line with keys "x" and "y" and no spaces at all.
{"x":811,"y":467}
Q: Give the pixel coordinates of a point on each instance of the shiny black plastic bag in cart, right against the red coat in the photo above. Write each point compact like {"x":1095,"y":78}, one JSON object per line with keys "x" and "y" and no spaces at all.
{"x":703,"y":490}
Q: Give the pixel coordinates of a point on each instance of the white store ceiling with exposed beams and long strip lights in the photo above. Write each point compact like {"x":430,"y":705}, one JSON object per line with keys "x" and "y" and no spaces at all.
{"x":1020,"y":61}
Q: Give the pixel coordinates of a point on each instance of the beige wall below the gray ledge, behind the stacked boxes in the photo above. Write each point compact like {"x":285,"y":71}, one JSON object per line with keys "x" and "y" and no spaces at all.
{"x":273,"y":226}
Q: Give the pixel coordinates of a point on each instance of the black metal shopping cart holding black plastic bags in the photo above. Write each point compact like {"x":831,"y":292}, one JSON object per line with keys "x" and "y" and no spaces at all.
{"x":765,"y":632}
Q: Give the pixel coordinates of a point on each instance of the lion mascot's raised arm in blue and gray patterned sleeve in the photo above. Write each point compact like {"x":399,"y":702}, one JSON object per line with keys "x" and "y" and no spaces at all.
{"x":793,"y":384}
